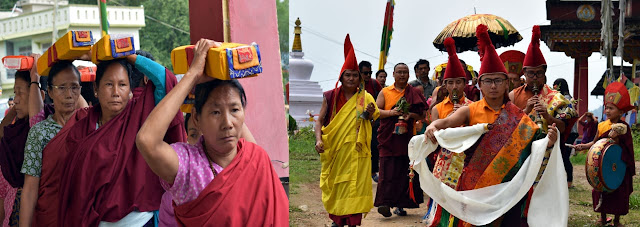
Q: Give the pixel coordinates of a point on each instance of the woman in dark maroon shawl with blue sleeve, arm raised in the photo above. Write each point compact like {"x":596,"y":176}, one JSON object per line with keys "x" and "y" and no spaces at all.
{"x":91,"y":171}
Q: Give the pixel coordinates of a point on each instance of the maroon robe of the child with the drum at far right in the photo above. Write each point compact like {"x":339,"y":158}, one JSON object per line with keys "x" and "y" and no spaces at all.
{"x":617,"y":202}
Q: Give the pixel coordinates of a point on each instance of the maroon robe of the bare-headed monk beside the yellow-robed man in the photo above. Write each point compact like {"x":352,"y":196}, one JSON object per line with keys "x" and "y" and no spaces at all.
{"x":393,"y":181}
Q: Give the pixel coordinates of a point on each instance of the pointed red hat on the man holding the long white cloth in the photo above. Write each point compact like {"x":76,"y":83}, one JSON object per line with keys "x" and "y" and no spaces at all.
{"x":490,"y":61}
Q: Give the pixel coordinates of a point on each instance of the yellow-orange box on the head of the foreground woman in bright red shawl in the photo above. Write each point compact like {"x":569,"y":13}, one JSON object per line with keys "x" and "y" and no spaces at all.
{"x":229,"y":61}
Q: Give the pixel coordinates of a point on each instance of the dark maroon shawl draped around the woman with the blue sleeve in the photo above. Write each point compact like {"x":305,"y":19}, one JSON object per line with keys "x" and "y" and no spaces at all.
{"x":99,"y":175}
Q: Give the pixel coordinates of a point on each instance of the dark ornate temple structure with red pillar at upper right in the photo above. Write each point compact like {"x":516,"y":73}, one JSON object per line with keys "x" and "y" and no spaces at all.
{"x":576,"y":29}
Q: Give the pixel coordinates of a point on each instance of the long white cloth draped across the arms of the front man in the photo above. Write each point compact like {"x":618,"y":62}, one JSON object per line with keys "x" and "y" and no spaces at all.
{"x":549,"y":204}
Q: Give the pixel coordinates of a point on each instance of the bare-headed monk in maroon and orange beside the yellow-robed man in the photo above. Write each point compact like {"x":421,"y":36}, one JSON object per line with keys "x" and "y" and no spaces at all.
{"x":393,"y":183}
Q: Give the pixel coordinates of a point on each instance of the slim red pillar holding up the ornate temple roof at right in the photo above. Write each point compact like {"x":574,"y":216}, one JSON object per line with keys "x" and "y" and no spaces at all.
{"x":581,"y":85}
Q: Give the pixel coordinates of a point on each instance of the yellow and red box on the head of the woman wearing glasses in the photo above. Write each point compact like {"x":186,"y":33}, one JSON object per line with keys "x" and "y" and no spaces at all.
{"x":69,"y":47}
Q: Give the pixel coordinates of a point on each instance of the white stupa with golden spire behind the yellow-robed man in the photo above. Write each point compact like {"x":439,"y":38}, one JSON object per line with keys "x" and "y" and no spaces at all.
{"x":305,"y":96}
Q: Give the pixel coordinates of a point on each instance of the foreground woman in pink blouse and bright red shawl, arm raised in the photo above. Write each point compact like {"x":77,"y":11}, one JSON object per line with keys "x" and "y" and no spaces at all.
{"x":223,"y":180}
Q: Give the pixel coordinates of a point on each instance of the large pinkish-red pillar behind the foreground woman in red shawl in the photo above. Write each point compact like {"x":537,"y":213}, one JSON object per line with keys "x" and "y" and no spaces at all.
{"x":252,"y":21}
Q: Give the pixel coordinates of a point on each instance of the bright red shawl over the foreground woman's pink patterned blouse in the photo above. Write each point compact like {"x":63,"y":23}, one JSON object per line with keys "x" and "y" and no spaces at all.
{"x":248,"y":192}
